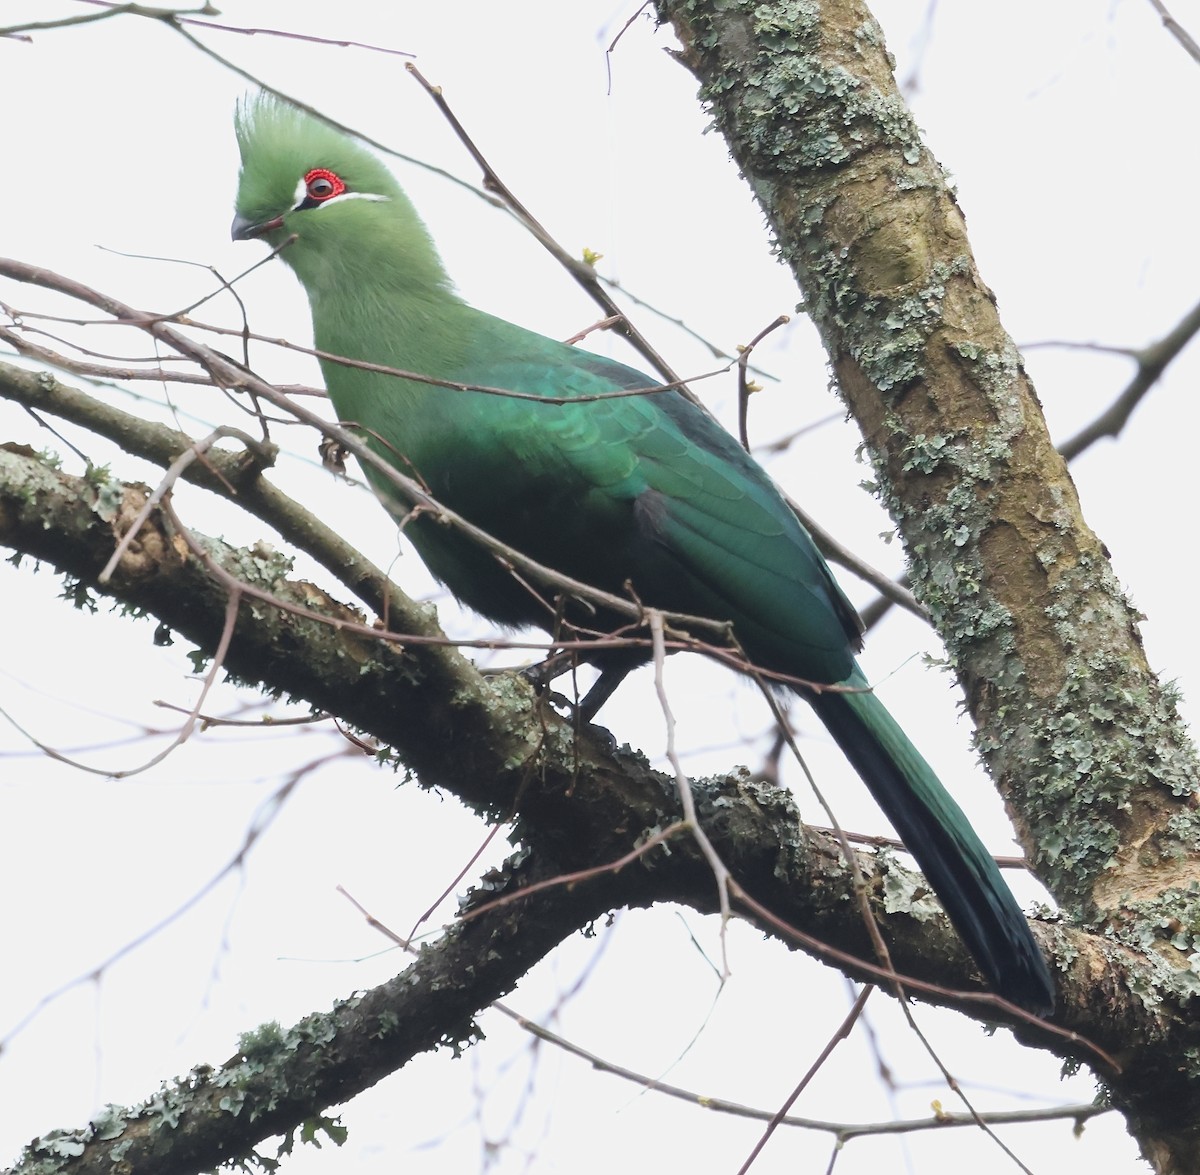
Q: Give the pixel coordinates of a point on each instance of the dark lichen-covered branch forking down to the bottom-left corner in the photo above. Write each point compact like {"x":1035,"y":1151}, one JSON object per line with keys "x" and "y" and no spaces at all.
{"x":283,"y":1080}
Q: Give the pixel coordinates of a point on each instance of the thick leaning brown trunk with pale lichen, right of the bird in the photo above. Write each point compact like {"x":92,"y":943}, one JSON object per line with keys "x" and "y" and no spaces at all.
{"x":1084,"y":742}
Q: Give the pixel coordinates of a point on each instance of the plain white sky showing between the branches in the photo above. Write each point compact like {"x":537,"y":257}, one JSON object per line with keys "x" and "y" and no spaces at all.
{"x":1070,"y":131}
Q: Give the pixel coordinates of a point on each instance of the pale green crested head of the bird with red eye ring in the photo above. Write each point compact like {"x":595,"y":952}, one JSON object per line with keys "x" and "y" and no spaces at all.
{"x":315,"y":191}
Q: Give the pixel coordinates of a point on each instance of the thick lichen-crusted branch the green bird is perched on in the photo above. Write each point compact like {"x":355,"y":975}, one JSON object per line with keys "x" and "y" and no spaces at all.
{"x":485,"y":740}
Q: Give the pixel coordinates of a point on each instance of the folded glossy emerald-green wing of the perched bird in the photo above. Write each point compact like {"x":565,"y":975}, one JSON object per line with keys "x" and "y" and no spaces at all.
{"x":712,"y":537}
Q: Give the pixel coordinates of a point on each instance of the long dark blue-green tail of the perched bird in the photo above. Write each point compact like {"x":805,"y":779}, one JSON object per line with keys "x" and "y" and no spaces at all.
{"x":935,"y":831}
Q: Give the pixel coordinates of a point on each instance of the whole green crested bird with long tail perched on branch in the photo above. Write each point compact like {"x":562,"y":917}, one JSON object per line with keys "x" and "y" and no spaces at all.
{"x":643,"y":496}
